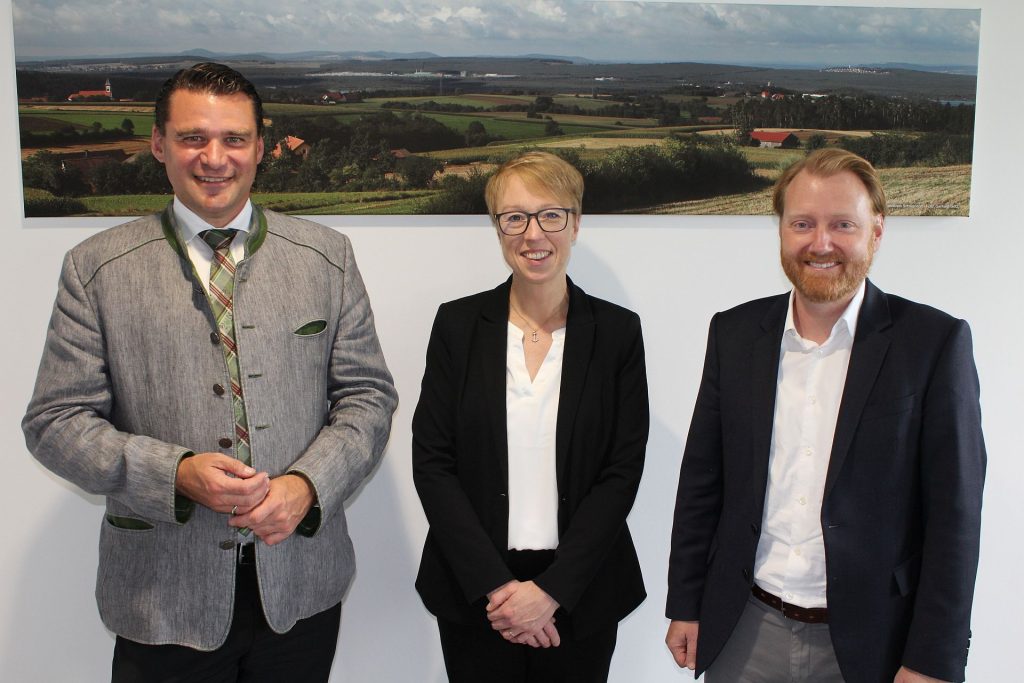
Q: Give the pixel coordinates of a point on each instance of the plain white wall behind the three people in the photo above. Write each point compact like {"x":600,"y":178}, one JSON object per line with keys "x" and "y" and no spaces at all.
{"x":674,"y":272}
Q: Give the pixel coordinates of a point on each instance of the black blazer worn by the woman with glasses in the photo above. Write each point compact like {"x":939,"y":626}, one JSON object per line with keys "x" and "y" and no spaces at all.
{"x":460,"y":460}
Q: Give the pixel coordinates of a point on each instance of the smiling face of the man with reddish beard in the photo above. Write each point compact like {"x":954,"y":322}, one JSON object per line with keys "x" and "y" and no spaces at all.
{"x":828,"y":234}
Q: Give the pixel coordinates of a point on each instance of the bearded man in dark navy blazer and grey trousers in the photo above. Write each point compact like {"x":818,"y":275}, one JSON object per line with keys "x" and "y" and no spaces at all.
{"x":827,"y":524}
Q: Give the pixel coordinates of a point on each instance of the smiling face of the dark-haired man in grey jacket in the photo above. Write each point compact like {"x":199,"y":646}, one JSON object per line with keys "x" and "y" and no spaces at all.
{"x":210,"y":149}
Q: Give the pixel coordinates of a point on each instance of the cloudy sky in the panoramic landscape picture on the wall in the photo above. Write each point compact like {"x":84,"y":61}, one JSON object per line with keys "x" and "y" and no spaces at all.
{"x":603,"y":31}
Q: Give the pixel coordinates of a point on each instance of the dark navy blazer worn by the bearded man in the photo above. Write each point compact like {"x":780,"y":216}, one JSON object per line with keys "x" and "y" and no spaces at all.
{"x":903,"y":500}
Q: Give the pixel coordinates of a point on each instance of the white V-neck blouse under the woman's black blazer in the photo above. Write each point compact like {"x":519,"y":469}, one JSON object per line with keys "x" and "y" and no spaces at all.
{"x":532,"y":410}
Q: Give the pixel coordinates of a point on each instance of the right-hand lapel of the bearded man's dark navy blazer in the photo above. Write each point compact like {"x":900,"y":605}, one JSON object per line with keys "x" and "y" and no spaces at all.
{"x":870,"y":349}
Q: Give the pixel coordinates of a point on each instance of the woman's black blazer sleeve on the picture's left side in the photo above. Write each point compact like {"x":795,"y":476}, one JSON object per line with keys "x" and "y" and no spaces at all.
{"x":467,"y":548}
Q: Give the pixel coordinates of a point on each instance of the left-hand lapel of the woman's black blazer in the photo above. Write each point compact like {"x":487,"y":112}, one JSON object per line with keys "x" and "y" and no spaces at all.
{"x":492,"y":351}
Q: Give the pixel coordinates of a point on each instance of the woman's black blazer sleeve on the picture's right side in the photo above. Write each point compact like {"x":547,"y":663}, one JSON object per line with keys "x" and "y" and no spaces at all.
{"x":601,"y":517}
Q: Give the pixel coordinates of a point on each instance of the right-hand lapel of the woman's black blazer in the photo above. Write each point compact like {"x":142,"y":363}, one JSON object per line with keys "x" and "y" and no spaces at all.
{"x":580,"y":330}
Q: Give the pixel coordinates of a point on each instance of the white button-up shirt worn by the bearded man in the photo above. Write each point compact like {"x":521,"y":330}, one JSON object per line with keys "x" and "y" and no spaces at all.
{"x":791,"y":556}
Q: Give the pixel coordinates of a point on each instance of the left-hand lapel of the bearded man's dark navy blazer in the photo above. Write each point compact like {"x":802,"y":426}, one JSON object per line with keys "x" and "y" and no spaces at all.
{"x":764,"y":385}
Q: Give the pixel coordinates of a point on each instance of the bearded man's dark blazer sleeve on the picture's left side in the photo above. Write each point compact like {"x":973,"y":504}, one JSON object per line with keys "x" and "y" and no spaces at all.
{"x":699,"y":500}
